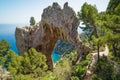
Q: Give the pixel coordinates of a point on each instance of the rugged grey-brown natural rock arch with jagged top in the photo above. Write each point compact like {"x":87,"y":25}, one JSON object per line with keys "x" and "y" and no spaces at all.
{"x":56,"y":24}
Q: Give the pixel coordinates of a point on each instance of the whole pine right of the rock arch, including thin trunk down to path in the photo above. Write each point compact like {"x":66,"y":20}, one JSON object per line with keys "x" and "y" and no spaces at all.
{"x":90,"y":18}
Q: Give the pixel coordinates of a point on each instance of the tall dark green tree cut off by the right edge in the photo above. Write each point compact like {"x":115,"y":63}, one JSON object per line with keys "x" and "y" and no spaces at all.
{"x":111,"y":20}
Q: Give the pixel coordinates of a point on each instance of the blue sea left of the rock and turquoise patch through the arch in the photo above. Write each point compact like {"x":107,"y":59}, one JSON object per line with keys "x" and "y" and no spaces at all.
{"x":7,"y":32}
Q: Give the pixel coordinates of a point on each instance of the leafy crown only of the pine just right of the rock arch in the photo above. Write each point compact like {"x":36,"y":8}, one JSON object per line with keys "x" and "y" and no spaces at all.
{"x":88,"y":14}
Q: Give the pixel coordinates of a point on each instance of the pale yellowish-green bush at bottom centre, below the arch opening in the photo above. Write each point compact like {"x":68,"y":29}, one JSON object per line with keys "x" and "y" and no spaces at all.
{"x":64,"y":68}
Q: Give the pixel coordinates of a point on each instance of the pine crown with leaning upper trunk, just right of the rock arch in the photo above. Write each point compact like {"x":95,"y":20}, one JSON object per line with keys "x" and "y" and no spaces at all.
{"x":89,"y":15}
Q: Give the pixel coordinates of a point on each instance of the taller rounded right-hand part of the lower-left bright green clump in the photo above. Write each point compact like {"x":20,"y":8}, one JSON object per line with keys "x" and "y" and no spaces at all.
{"x":34,"y":62}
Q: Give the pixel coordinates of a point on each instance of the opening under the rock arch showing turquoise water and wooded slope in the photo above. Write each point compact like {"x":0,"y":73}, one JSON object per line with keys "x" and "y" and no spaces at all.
{"x":61,"y":48}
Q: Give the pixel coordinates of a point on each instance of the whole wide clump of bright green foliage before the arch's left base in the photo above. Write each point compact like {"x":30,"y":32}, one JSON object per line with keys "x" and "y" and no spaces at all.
{"x":31,"y":64}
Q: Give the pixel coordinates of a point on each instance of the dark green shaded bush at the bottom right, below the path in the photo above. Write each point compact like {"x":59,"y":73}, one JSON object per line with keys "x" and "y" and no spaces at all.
{"x":104,"y":70}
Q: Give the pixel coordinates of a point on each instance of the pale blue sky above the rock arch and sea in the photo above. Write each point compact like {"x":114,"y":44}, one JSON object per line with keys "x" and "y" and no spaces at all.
{"x":20,"y":11}
